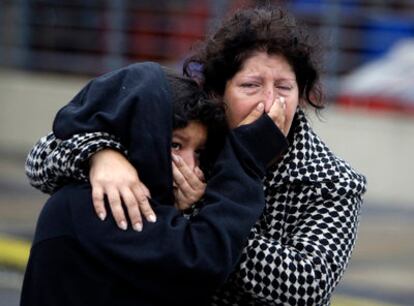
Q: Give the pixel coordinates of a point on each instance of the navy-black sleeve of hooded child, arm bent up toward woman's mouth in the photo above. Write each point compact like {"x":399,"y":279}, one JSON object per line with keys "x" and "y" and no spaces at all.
{"x":188,"y":260}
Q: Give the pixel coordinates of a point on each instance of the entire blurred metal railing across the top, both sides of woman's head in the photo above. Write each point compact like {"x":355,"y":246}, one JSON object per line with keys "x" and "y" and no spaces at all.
{"x":94,"y":36}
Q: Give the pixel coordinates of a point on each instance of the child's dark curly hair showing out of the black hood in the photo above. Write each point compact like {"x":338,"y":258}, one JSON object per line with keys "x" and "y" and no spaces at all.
{"x":191,"y":103}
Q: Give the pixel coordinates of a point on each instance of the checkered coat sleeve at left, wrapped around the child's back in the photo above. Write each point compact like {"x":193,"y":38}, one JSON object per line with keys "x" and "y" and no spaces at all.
{"x":52,"y":162}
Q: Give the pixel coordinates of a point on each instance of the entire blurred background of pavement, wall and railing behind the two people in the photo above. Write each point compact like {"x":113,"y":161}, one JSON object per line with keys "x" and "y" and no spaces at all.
{"x":50,"y":48}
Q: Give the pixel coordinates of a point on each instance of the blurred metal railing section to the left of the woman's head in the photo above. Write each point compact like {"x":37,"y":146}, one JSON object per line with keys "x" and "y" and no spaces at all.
{"x":95,"y":36}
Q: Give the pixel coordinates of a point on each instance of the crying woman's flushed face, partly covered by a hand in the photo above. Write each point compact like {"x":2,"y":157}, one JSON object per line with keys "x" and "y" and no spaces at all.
{"x":262,"y":78}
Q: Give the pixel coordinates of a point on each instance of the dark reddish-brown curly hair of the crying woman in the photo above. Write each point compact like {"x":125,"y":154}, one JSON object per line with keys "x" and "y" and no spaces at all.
{"x":268,"y":29}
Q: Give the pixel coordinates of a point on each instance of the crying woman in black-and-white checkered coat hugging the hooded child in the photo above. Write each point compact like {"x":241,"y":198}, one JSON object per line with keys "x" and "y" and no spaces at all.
{"x":301,"y":244}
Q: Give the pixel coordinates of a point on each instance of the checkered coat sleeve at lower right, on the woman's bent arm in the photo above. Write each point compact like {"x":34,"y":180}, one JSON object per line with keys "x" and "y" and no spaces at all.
{"x":306,"y":267}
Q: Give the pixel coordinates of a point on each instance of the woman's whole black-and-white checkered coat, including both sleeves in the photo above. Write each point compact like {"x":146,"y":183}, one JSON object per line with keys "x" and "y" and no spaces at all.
{"x":298,"y":250}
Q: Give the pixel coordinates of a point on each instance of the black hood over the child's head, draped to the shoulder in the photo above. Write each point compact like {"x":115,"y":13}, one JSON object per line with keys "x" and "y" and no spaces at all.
{"x":134,"y":104}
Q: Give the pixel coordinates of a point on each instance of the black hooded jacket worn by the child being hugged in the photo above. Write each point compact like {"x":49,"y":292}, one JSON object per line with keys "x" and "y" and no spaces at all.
{"x":76,"y":259}
